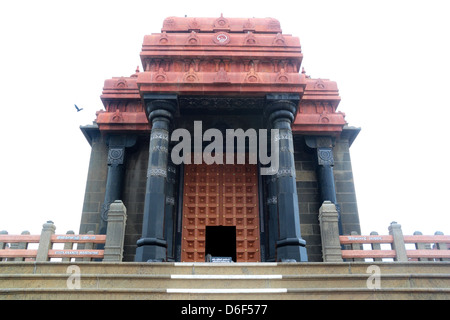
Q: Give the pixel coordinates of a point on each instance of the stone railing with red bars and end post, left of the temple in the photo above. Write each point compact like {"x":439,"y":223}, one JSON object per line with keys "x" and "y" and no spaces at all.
{"x":18,"y":248}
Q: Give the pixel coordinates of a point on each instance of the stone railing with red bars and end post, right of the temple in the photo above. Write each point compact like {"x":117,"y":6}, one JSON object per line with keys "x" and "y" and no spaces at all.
{"x":400,"y":247}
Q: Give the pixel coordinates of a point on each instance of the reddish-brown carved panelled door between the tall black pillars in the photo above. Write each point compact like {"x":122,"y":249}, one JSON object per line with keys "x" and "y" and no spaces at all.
{"x":220,"y":195}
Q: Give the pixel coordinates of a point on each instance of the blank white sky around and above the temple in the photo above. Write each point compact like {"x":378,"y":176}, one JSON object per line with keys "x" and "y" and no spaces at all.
{"x":389,"y":58}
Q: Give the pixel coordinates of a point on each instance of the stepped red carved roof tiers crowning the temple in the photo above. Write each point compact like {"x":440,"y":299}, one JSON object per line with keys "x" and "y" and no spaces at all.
{"x":234,"y":57}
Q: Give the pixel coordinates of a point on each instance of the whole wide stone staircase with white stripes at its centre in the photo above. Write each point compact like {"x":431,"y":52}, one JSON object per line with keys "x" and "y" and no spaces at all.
{"x":212,"y":281}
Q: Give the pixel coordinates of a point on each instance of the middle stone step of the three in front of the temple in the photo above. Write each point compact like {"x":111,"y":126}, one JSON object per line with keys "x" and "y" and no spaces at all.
{"x":180,"y":281}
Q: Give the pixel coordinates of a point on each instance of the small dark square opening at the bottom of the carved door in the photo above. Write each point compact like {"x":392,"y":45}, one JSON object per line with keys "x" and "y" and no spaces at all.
{"x":221,"y":241}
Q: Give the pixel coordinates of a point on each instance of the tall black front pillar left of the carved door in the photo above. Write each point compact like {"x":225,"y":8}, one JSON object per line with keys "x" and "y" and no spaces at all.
{"x":153,"y":244}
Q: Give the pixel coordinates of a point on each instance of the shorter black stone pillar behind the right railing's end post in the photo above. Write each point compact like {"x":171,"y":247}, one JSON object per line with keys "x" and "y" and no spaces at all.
{"x":325,"y":175}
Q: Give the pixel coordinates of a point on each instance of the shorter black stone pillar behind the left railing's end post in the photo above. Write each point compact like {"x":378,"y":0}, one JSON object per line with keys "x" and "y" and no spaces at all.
{"x":116,"y":159}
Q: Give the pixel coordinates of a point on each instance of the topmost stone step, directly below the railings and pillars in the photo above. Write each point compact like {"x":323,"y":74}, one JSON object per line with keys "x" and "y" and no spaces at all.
{"x":221,"y":268}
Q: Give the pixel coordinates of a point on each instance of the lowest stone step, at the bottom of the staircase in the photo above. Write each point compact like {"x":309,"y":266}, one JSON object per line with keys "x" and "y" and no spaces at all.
{"x":223,"y":294}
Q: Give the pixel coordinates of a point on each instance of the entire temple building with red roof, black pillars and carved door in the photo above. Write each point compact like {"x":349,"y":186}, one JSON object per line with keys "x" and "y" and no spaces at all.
{"x":211,"y":77}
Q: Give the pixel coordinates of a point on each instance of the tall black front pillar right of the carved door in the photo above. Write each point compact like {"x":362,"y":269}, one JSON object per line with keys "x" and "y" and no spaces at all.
{"x":280,"y":112}
